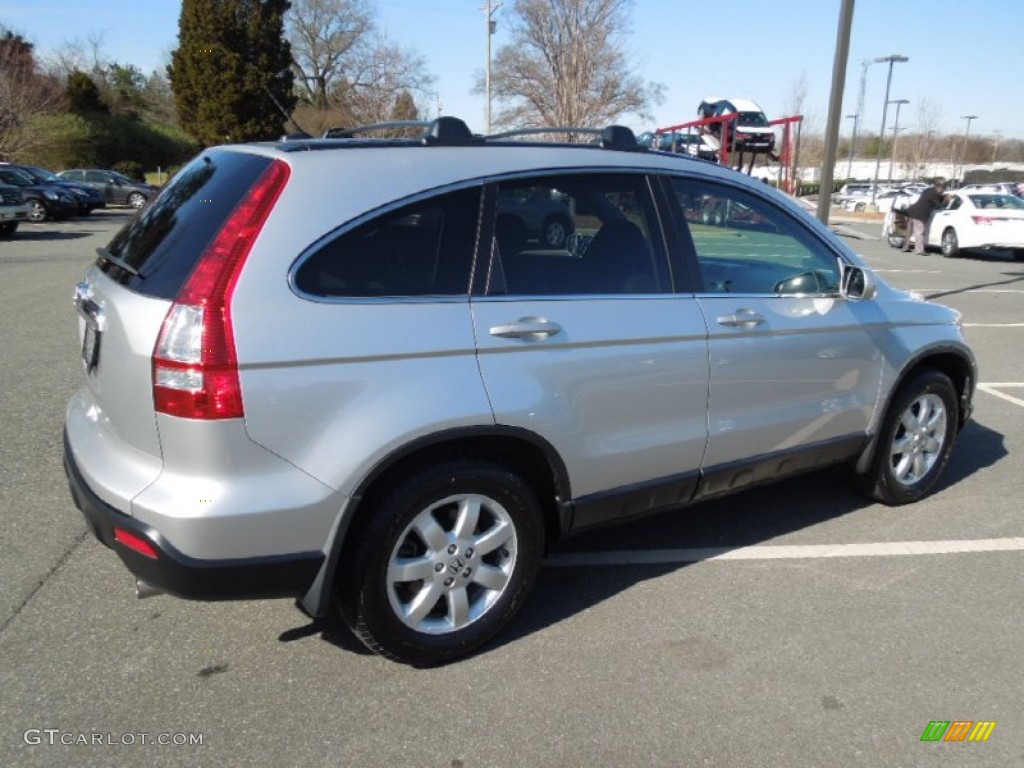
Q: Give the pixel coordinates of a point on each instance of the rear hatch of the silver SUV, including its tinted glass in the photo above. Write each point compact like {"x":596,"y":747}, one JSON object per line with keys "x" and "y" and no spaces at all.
{"x":122,"y":306}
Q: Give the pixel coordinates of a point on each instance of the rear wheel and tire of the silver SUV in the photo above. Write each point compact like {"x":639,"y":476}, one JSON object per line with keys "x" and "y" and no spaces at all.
{"x":442,"y":600}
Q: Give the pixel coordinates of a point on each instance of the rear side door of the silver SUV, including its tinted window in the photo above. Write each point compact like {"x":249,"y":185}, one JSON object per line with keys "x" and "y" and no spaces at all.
{"x":587,"y":348}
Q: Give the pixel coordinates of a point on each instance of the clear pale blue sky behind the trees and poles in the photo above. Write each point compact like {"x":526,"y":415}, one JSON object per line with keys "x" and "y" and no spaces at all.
{"x":966,"y":57}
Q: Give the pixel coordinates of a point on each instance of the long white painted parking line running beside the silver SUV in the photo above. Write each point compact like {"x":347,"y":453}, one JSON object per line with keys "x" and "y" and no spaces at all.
{"x":786,"y":552}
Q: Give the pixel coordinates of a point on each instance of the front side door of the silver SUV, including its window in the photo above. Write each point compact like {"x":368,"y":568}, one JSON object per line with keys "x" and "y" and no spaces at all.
{"x":795,"y":373}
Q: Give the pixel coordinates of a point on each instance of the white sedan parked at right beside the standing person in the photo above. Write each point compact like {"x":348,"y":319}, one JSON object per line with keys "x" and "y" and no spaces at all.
{"x":978,"y":221}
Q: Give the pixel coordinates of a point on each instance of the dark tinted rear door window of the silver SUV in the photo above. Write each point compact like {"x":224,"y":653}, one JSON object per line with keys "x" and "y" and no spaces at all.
{"x":577,"y":235}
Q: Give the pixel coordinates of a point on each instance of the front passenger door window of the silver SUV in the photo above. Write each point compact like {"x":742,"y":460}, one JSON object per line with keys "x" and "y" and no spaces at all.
{"x":746,"y":245}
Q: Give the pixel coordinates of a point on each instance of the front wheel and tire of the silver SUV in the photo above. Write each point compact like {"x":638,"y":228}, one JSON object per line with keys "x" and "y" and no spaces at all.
{"x":906,"y":466}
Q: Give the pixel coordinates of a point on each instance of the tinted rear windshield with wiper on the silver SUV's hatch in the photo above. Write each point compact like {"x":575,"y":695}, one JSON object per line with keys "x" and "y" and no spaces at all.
{"x":166,"y":240}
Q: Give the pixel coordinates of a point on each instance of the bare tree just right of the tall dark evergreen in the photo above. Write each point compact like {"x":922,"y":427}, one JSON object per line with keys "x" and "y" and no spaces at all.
{"x":348,"y":70}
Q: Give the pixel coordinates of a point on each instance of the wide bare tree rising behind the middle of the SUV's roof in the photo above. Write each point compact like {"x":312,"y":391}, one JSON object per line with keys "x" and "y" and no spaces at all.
{"x":567,"y":66}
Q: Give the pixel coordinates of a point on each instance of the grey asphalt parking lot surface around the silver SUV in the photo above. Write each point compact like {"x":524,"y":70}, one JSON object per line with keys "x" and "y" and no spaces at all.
{"x":791,"y":626}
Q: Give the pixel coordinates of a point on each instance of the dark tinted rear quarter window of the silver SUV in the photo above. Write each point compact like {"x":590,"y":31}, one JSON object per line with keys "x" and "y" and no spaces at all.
{"x":423,"y":249}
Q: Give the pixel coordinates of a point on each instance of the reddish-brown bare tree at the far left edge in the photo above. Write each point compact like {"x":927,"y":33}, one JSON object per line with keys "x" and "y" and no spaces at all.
{"x":25,"y":95}
